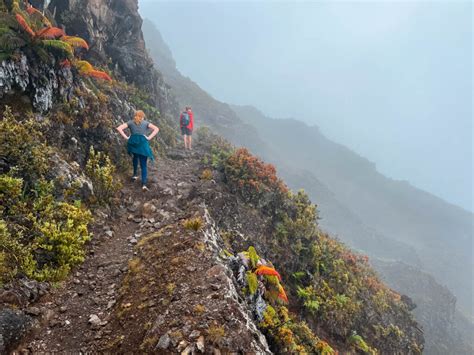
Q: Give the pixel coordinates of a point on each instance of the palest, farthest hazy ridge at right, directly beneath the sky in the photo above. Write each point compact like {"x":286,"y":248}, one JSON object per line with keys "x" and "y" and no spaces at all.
{"x":394,"y":208}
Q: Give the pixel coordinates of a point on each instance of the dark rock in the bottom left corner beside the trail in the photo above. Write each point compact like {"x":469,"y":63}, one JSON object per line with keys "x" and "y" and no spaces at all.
{"x":13,"y":326}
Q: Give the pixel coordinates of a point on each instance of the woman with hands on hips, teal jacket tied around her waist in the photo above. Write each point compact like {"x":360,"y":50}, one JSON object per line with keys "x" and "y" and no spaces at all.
{"x":138,"y":145}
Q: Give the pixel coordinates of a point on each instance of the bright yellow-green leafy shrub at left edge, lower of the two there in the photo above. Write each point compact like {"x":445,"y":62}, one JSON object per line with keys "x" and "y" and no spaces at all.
{"x":39,"y":236}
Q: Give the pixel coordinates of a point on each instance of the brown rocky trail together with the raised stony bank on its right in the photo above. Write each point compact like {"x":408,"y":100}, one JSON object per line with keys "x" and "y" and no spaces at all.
{"x":151,"y":282}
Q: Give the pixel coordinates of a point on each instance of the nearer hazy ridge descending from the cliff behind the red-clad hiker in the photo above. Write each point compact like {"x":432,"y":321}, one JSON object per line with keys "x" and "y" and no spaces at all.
{"x":224,"y":120}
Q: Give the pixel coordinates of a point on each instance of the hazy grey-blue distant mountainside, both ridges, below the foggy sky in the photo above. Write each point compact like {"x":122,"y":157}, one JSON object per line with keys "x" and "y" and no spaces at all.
{"x":384,"y":218}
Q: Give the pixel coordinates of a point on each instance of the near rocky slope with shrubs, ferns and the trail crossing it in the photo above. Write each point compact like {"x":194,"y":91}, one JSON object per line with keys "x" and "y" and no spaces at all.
{"x":204,"y":213}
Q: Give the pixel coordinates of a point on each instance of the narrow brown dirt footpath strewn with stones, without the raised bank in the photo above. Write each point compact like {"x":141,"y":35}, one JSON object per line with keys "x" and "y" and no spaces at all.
{"x":72,"y":316}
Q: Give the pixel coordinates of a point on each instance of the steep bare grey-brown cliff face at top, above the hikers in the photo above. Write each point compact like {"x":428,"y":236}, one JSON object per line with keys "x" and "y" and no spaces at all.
{"x":113,"y":30}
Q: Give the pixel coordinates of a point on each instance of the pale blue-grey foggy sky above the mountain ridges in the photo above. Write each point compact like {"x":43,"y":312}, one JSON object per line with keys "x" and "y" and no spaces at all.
{"x":390,"y":80}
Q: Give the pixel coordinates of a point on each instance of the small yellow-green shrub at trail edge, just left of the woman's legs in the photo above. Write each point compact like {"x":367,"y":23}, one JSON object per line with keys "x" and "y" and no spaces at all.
{"x":100,"y":171}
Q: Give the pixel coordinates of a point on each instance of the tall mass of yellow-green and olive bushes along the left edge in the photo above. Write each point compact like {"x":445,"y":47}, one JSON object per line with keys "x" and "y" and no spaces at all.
{"x":40,"y":237}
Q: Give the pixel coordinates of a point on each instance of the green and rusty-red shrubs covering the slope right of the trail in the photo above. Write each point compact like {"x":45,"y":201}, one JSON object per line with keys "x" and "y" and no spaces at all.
{"x":334,"y":290}
